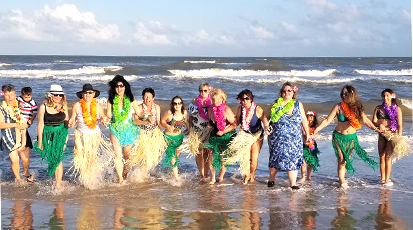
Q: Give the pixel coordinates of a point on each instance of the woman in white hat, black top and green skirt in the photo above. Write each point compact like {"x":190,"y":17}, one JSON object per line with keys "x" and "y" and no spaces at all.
{"x":52,"y":132}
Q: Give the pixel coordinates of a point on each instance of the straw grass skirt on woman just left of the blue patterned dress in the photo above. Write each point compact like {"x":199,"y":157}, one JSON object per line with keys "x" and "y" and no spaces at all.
{"x":239,"y":149}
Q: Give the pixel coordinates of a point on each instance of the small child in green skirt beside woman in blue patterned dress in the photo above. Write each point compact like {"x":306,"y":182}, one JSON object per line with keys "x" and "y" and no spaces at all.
{"x":310,"y":150}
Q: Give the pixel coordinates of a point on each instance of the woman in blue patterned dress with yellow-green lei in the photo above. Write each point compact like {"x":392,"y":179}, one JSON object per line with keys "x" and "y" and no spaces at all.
{"x":287,"y":115}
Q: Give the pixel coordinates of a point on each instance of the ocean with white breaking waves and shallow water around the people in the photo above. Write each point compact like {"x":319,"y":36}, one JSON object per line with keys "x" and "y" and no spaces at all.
{"x":158,"y":202}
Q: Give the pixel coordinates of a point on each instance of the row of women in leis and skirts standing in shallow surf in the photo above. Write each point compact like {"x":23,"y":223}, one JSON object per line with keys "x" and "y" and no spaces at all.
{"x":137,"y":139}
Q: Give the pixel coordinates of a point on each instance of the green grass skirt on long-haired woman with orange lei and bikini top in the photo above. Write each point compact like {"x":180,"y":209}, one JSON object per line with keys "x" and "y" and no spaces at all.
{"x":347,"y":143}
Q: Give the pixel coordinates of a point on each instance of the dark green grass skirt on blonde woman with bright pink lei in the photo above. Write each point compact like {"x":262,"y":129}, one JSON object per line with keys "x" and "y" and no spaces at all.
{"x":219,"y":144}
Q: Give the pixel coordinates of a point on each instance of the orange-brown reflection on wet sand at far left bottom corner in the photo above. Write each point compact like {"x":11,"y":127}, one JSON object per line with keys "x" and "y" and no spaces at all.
{"x":22,"y":215}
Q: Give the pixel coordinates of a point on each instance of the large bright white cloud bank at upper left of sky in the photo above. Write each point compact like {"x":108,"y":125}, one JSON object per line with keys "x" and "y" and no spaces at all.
{"x":64,"y":23}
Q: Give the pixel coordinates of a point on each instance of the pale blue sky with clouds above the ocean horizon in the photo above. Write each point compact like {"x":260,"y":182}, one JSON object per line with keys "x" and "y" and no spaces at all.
{"x":280,"y":28}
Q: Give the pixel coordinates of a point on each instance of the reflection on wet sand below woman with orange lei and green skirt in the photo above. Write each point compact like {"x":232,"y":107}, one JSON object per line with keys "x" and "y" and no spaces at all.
{"x":344,"y":218}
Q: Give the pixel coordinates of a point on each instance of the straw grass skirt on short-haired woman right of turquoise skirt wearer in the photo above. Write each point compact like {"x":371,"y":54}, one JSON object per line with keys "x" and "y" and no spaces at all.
{"x":148,"y":152}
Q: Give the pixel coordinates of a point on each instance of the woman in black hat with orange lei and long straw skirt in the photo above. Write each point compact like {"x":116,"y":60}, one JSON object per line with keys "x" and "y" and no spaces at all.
{"x":91,"y":151}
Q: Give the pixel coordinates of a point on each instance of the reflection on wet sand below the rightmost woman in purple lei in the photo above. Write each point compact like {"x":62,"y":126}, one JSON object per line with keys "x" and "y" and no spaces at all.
{"x":385,"y":219}
